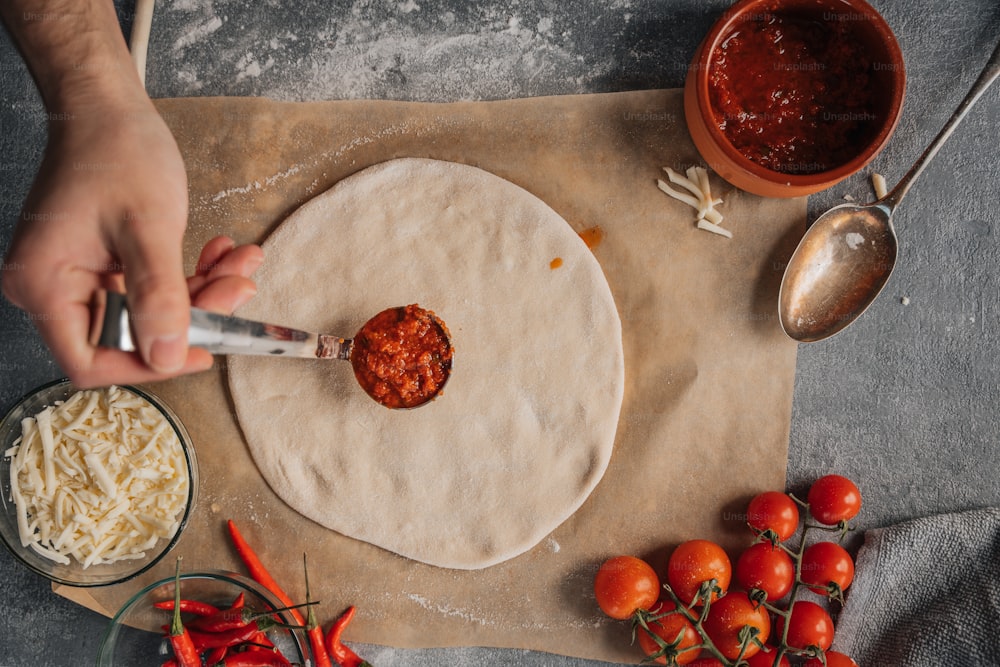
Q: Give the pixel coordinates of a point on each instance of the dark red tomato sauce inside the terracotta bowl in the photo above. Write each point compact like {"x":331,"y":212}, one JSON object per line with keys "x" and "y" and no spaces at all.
{"x":794,"y":93}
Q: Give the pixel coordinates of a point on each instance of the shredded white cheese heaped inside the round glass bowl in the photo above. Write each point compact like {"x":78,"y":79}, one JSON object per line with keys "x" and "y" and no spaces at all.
{"x":100,"y":477}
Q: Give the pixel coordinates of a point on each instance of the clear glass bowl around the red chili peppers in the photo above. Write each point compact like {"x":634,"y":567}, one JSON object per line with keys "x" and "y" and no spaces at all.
{"x":135,"y":635}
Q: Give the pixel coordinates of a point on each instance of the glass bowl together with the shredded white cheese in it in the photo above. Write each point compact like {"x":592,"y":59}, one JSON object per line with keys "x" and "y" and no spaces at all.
{"x":97,"y":485}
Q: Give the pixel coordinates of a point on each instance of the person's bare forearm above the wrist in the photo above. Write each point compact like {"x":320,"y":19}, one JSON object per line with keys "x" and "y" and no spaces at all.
{"x":74,"y":49}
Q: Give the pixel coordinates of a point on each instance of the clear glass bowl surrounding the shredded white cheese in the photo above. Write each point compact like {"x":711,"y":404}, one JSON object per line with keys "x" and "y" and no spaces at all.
{"x":74,"y":574}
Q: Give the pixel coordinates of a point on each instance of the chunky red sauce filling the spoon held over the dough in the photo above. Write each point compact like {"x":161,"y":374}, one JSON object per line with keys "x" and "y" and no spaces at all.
{"x":402,"y":356}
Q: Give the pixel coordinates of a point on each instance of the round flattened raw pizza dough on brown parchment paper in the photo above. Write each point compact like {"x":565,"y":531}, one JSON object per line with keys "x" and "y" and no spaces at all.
{"x":525,"y":427}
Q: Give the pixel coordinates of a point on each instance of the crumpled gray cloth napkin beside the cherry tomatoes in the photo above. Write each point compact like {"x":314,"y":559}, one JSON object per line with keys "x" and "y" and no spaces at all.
{"x":926,"y":592}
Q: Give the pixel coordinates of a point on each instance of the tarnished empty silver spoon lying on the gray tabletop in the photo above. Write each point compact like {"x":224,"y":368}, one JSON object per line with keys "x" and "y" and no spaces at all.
{"x":845,"y":258}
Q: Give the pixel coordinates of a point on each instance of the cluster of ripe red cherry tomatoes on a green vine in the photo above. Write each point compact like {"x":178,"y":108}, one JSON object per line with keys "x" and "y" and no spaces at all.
{"x":697,"y":619}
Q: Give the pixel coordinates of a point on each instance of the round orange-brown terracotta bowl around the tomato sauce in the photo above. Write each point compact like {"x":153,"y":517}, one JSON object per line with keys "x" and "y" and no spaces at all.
{"x":884,"y":75}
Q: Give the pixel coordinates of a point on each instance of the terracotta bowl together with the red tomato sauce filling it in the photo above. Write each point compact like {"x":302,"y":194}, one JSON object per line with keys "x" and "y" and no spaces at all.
{"x":785,"y":98}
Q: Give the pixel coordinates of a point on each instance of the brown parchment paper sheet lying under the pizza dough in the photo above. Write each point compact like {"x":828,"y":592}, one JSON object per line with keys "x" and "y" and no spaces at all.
{"x":709,"y":375}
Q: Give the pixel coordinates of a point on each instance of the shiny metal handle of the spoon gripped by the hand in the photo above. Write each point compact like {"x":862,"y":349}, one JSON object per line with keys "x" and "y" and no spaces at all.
{"x":221,"y":334}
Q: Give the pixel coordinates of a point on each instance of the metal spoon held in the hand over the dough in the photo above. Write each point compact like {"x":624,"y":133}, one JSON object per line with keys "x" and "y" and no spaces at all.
{"x":223,"y":334}
